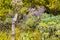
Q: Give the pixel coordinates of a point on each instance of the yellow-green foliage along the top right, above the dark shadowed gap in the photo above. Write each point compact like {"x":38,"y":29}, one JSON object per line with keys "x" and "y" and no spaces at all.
{"x":53,"y":6}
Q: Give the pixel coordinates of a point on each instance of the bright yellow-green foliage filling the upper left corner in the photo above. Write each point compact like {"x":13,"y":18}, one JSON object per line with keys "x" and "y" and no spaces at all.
{"x":4,"y":8}
